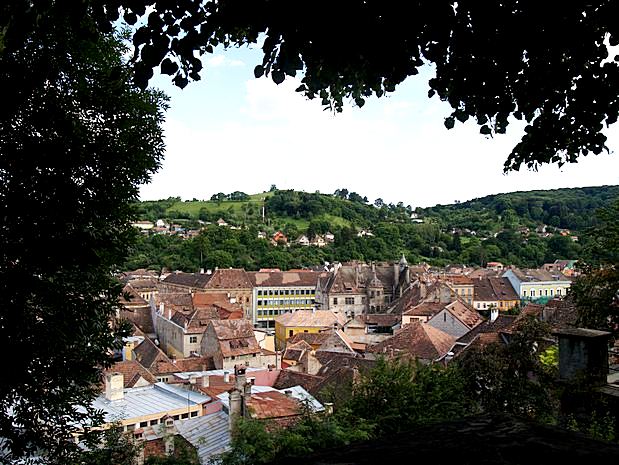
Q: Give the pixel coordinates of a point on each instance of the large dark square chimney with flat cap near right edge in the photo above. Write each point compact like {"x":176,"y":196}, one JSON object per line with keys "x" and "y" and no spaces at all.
{"x":583,"y":355}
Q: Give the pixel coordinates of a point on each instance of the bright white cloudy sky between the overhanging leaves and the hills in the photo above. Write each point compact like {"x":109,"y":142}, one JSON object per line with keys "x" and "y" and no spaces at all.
{"x":231,"y":132}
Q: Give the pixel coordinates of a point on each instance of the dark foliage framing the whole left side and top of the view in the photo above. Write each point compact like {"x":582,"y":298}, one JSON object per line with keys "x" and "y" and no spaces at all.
{"x":79,"y":132}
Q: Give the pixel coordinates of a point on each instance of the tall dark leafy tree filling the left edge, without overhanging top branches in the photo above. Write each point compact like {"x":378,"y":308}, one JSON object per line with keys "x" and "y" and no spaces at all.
{"x":76,"y":140}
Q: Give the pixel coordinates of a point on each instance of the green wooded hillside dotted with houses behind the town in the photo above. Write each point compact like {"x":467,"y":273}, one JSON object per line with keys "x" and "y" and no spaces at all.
{"x":520,"y":228}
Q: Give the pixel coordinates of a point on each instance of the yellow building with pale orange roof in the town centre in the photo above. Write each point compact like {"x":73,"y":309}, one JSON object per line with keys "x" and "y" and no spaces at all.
{"x":304,"y":321}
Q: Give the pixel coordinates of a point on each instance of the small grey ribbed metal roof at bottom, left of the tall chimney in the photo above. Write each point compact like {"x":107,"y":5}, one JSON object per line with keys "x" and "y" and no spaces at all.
{"x":210,"y":434}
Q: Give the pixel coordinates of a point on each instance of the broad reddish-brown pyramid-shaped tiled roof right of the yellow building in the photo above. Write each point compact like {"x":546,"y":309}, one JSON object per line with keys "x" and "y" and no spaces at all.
{"x":416,"y":339}
